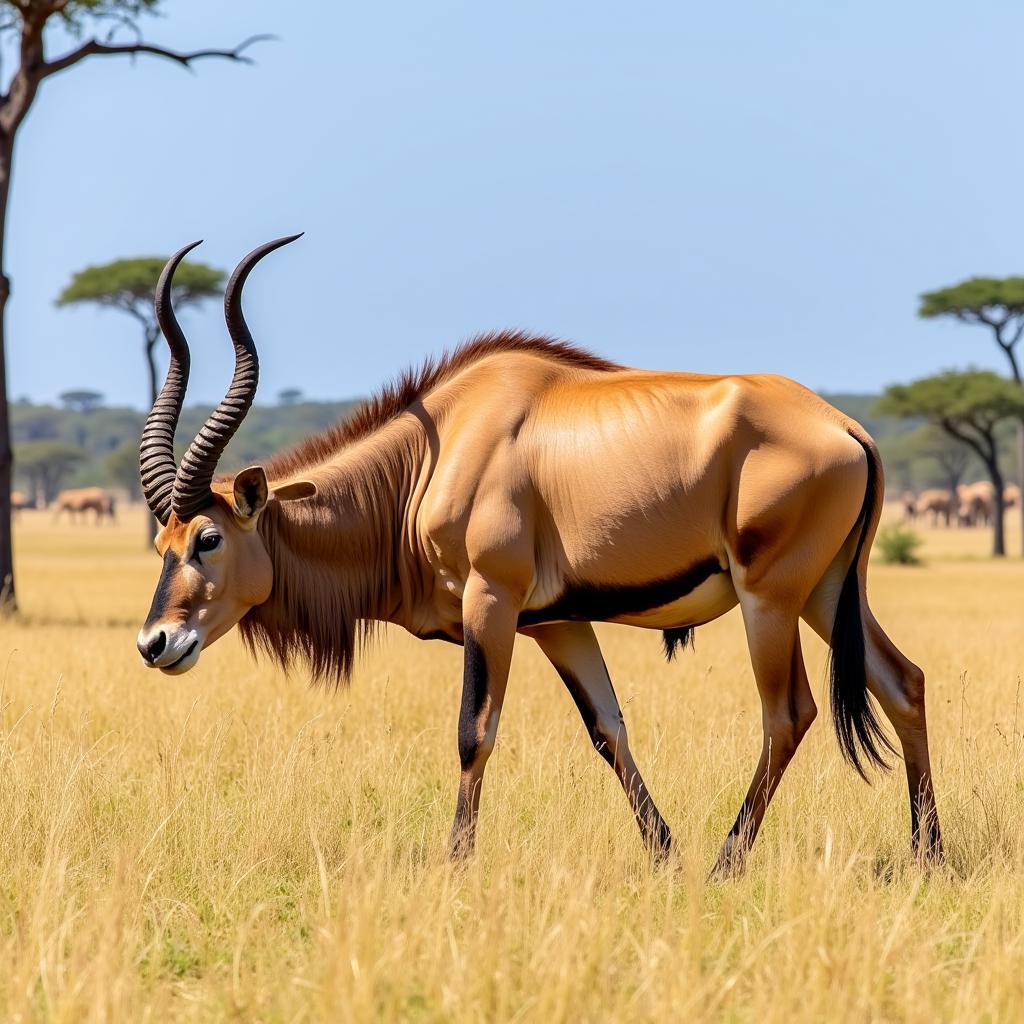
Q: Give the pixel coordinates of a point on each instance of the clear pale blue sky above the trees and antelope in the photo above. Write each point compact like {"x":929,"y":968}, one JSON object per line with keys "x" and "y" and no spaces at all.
{"x":745,"y":187}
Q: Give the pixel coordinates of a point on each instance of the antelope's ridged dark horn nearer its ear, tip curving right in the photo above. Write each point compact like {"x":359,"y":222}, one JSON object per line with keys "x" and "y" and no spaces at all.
{"x":192,"y":486}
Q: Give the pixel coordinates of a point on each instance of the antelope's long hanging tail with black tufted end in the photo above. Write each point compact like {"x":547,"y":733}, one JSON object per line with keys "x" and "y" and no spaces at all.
{"x":861,"y":735}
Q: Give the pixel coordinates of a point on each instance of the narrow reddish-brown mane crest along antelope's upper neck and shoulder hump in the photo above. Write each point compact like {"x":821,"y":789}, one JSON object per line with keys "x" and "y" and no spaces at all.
{"x":414,"y":385}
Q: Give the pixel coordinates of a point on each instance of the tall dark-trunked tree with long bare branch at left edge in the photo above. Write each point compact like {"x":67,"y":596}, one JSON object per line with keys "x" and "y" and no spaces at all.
{"x":33,"y":23}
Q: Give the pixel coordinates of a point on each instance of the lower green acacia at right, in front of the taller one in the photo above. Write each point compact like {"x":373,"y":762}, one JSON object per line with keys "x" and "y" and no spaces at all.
{"x":969,"y":407}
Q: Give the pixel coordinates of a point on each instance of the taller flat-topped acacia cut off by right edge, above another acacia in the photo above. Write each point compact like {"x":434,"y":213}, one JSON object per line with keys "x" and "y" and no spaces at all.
{"x":999,"y":305}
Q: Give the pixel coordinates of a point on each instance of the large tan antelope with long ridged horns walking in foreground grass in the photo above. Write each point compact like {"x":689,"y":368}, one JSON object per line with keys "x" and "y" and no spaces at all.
{"x":522,"y":486}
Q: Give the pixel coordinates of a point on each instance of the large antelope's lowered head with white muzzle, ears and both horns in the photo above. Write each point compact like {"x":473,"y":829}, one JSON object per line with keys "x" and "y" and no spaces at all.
{"x":217,"y":566}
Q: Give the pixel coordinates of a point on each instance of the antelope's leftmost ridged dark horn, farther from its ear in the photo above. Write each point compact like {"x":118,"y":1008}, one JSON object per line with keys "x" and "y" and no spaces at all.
{"x":157,"y":464}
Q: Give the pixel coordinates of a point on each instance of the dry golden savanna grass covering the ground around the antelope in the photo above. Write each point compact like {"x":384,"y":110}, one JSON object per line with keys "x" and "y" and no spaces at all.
{"x":233,"y":845}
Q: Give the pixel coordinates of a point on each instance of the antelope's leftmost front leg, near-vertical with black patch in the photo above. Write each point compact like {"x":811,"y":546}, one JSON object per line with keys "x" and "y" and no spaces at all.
{"x":490,"y":618}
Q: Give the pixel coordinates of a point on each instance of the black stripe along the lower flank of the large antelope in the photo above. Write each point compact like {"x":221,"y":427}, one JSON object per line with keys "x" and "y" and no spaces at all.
{"x":596,"y":604}
